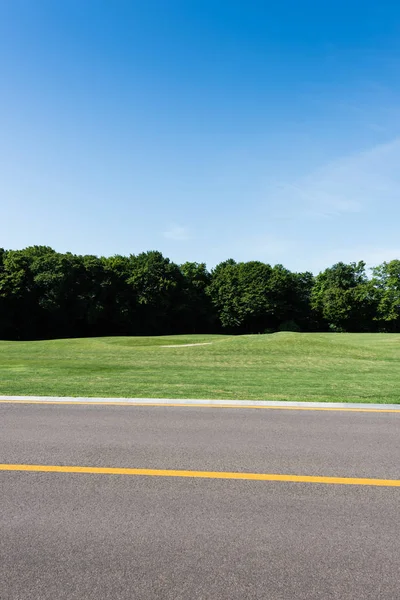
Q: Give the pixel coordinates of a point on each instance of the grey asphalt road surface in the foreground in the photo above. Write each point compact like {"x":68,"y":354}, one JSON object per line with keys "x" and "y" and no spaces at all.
{"x":91,"y":536}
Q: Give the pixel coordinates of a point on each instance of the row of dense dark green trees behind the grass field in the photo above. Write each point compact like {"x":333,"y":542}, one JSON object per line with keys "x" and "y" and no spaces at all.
{"x":46,"y":294}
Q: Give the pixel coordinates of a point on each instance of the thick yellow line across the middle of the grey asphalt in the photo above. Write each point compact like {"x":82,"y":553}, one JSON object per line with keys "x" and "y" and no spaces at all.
{"x":203,"y":474}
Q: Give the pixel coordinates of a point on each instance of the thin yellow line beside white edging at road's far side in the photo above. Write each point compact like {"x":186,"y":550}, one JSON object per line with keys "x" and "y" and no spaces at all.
{"x":144,"y":404}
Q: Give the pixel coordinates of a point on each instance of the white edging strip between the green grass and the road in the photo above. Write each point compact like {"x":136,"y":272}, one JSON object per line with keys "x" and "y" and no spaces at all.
{"x":194,"y":402}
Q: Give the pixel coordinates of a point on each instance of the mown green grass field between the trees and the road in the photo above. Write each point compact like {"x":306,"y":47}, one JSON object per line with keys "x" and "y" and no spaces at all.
{"x":282,"y":366}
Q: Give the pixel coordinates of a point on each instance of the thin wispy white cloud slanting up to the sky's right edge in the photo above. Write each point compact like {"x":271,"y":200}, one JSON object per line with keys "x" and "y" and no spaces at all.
{"x":348,"y":185}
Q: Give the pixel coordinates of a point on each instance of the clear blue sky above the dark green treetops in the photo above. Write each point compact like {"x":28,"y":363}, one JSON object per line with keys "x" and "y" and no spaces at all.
{"x":205,"y":129}
